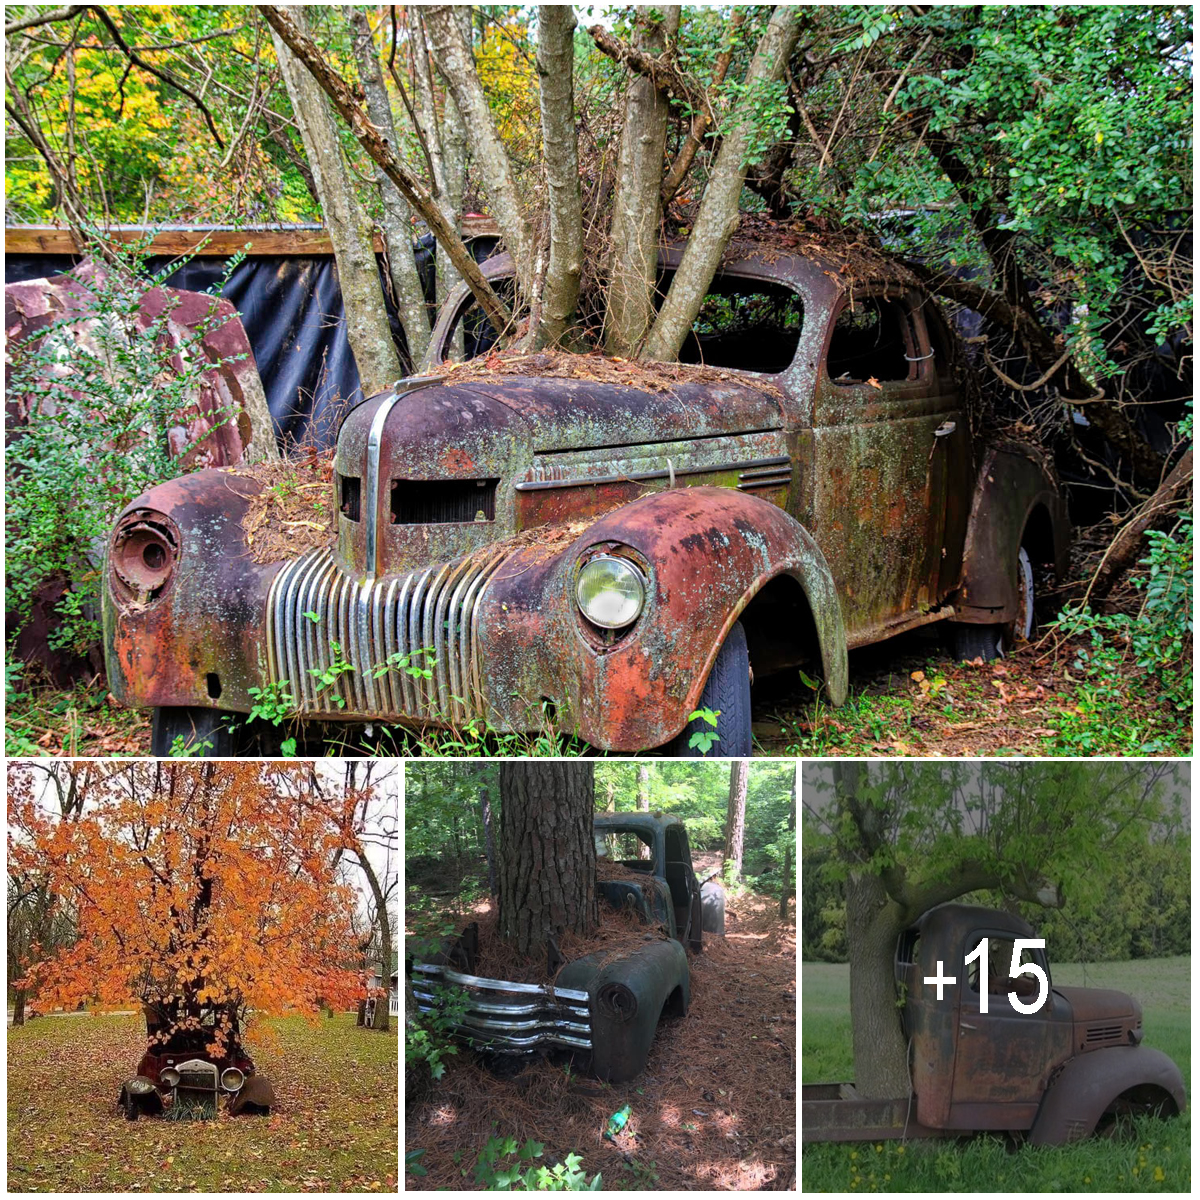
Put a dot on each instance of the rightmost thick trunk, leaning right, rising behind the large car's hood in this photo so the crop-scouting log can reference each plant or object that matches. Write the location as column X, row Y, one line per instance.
column 718, row 217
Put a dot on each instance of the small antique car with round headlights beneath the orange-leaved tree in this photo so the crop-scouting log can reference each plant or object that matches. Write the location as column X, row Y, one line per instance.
column 179, row 1076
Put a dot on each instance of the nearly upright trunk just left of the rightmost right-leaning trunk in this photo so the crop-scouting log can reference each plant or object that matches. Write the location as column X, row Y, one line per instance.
column 637, row 207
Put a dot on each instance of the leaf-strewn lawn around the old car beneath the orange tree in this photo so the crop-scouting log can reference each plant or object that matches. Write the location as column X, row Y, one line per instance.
column 335, row 1129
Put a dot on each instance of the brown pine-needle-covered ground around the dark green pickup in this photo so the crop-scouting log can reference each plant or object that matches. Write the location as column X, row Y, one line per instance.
column 716, row 1108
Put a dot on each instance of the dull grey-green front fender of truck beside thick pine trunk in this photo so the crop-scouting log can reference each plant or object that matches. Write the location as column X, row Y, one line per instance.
column 627, row 998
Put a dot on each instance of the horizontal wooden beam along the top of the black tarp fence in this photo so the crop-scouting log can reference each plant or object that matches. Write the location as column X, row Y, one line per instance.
column 221, row 243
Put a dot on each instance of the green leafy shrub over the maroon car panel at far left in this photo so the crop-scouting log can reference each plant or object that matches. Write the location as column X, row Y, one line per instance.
column 100, row 407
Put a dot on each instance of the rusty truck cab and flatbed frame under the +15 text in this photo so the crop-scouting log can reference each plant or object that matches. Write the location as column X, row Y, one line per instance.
column 1073, row 1067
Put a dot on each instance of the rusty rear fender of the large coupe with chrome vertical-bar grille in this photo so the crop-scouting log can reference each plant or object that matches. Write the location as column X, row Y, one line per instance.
column 1017, row 500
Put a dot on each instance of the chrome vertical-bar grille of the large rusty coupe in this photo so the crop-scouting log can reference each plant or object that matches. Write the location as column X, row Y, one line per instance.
column 425, row 620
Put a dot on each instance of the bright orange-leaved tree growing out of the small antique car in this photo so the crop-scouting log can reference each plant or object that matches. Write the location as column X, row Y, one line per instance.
column 202, row 891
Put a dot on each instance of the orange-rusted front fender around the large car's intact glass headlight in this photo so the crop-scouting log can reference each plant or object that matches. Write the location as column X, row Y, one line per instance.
column 709, row 551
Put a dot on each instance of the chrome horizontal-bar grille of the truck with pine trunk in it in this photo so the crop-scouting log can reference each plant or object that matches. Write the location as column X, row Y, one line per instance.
column 511, row 1018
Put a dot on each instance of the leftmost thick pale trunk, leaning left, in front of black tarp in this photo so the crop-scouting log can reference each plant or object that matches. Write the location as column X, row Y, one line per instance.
column 351, row 233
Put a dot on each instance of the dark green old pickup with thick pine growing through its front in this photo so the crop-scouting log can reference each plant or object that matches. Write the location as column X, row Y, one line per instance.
column 604, row 1007
